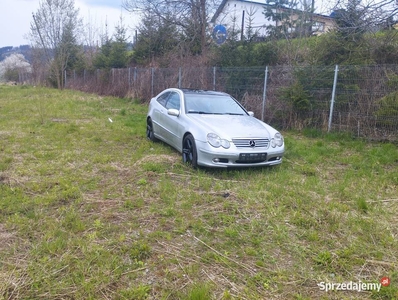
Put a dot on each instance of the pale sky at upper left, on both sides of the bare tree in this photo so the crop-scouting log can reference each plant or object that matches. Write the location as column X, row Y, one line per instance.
column 16, row 15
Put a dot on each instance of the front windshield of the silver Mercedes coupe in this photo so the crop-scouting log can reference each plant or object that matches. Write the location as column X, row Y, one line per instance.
column 212, row 104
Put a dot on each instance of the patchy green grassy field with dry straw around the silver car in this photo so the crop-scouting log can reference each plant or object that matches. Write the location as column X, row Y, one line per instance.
column 90, row 209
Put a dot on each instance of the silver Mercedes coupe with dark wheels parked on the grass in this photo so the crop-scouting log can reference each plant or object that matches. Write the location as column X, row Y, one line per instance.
column 212, row 129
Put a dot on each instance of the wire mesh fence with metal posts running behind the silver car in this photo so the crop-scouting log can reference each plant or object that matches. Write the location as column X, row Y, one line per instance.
column 362, row 100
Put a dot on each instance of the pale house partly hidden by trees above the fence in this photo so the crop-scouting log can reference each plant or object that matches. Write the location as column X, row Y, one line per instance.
column 236, row 15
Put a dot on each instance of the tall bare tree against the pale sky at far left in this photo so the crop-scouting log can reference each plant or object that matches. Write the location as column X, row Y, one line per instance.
column 55, row 28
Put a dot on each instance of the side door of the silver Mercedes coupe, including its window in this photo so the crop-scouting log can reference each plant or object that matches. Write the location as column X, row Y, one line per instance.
column 171, row 123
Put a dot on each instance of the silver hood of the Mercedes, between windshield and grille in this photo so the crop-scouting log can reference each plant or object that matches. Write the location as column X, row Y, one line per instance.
column 227, row 126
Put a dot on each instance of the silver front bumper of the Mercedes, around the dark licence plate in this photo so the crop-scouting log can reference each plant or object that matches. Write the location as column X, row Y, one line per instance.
column 235, row 157
